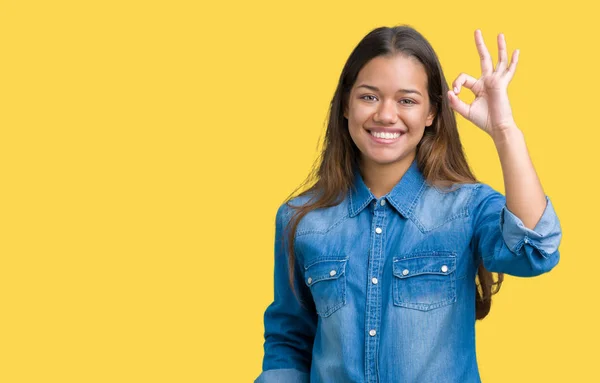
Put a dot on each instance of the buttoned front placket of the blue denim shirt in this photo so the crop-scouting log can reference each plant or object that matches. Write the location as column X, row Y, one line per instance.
column 373, row 304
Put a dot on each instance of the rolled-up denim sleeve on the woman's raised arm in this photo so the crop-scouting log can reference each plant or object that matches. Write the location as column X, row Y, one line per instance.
column 503, row 242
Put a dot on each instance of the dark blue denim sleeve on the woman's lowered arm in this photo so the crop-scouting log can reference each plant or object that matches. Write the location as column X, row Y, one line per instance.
column 289, row 326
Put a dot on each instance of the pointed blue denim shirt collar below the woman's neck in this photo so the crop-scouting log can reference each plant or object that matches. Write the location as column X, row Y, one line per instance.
column 402, row 196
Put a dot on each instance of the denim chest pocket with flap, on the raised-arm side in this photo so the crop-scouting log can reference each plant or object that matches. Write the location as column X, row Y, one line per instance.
column 424, row 281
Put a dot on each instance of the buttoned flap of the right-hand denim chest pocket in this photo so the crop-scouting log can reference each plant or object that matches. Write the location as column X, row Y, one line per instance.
column 442, row 264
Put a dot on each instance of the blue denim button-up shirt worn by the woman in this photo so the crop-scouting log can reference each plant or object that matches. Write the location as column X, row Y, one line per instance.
column 389, row 283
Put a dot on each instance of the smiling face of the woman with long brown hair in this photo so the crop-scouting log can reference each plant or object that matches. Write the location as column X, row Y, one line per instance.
column 388, row 110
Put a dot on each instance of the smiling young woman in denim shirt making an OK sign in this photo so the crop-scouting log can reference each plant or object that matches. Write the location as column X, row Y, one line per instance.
column 383, row 265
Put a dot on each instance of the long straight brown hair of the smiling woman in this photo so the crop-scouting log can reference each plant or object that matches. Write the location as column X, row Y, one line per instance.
column 440, row 155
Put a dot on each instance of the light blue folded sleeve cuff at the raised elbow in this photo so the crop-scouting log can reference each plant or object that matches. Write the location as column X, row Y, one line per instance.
column 545, row 236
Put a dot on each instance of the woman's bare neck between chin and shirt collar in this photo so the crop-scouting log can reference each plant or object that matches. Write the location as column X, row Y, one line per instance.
column 381, row 178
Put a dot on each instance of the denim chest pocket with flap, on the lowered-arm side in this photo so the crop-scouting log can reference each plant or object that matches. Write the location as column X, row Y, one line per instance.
column 327, row 282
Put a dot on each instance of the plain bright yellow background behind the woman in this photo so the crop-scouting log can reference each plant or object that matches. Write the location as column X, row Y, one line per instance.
column 146, row 145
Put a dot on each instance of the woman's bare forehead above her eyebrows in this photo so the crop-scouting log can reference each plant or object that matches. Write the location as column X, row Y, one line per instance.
column 390, row 73
